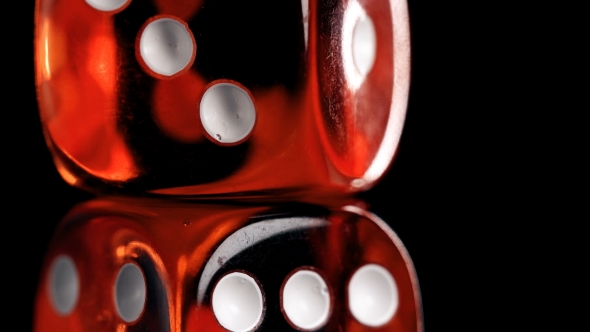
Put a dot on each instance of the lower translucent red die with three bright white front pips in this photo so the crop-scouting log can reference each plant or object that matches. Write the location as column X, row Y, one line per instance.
column 136, row 265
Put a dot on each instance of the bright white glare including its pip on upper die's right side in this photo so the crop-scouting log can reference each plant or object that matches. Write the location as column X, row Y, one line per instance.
column 359, row 44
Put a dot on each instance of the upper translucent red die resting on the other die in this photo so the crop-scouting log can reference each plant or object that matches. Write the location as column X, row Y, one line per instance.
column 220, row 96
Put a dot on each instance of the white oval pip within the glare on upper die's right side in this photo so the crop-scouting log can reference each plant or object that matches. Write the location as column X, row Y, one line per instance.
column 364, row 45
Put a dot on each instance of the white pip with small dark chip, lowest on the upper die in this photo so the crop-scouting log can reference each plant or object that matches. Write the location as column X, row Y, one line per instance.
column 227, row 113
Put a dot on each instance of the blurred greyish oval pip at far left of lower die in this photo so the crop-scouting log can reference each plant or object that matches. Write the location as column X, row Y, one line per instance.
column 64, row 286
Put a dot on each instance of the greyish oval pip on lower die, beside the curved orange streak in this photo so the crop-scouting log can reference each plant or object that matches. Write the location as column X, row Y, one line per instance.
column 130, row 292
